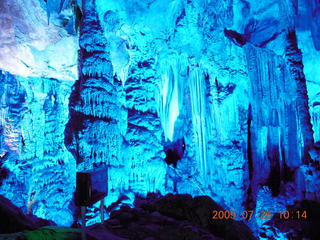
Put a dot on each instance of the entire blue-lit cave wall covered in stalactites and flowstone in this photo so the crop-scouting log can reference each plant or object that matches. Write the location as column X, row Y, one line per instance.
column 236, row 79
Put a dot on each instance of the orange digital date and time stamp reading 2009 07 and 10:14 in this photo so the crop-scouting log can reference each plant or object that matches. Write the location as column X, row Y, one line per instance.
column 247, row 215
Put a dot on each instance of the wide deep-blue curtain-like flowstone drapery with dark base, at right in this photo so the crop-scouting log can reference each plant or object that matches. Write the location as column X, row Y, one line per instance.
column 274, row 129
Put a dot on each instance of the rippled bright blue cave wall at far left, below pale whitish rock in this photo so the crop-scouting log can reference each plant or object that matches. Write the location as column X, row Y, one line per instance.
column 34, row 112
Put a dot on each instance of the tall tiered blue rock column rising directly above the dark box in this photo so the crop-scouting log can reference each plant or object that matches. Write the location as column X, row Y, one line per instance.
column 99, row 99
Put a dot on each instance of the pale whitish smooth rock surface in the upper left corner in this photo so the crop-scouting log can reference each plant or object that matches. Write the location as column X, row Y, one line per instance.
column 30, row 45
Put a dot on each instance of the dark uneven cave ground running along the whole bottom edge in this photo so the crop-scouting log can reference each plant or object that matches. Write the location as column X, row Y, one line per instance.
column 173, row 216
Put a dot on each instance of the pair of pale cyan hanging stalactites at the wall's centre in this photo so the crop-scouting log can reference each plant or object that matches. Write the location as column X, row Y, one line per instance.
column 179, row 78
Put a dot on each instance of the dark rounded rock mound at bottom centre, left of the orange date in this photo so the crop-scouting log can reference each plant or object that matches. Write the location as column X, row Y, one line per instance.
column 175, row 217
